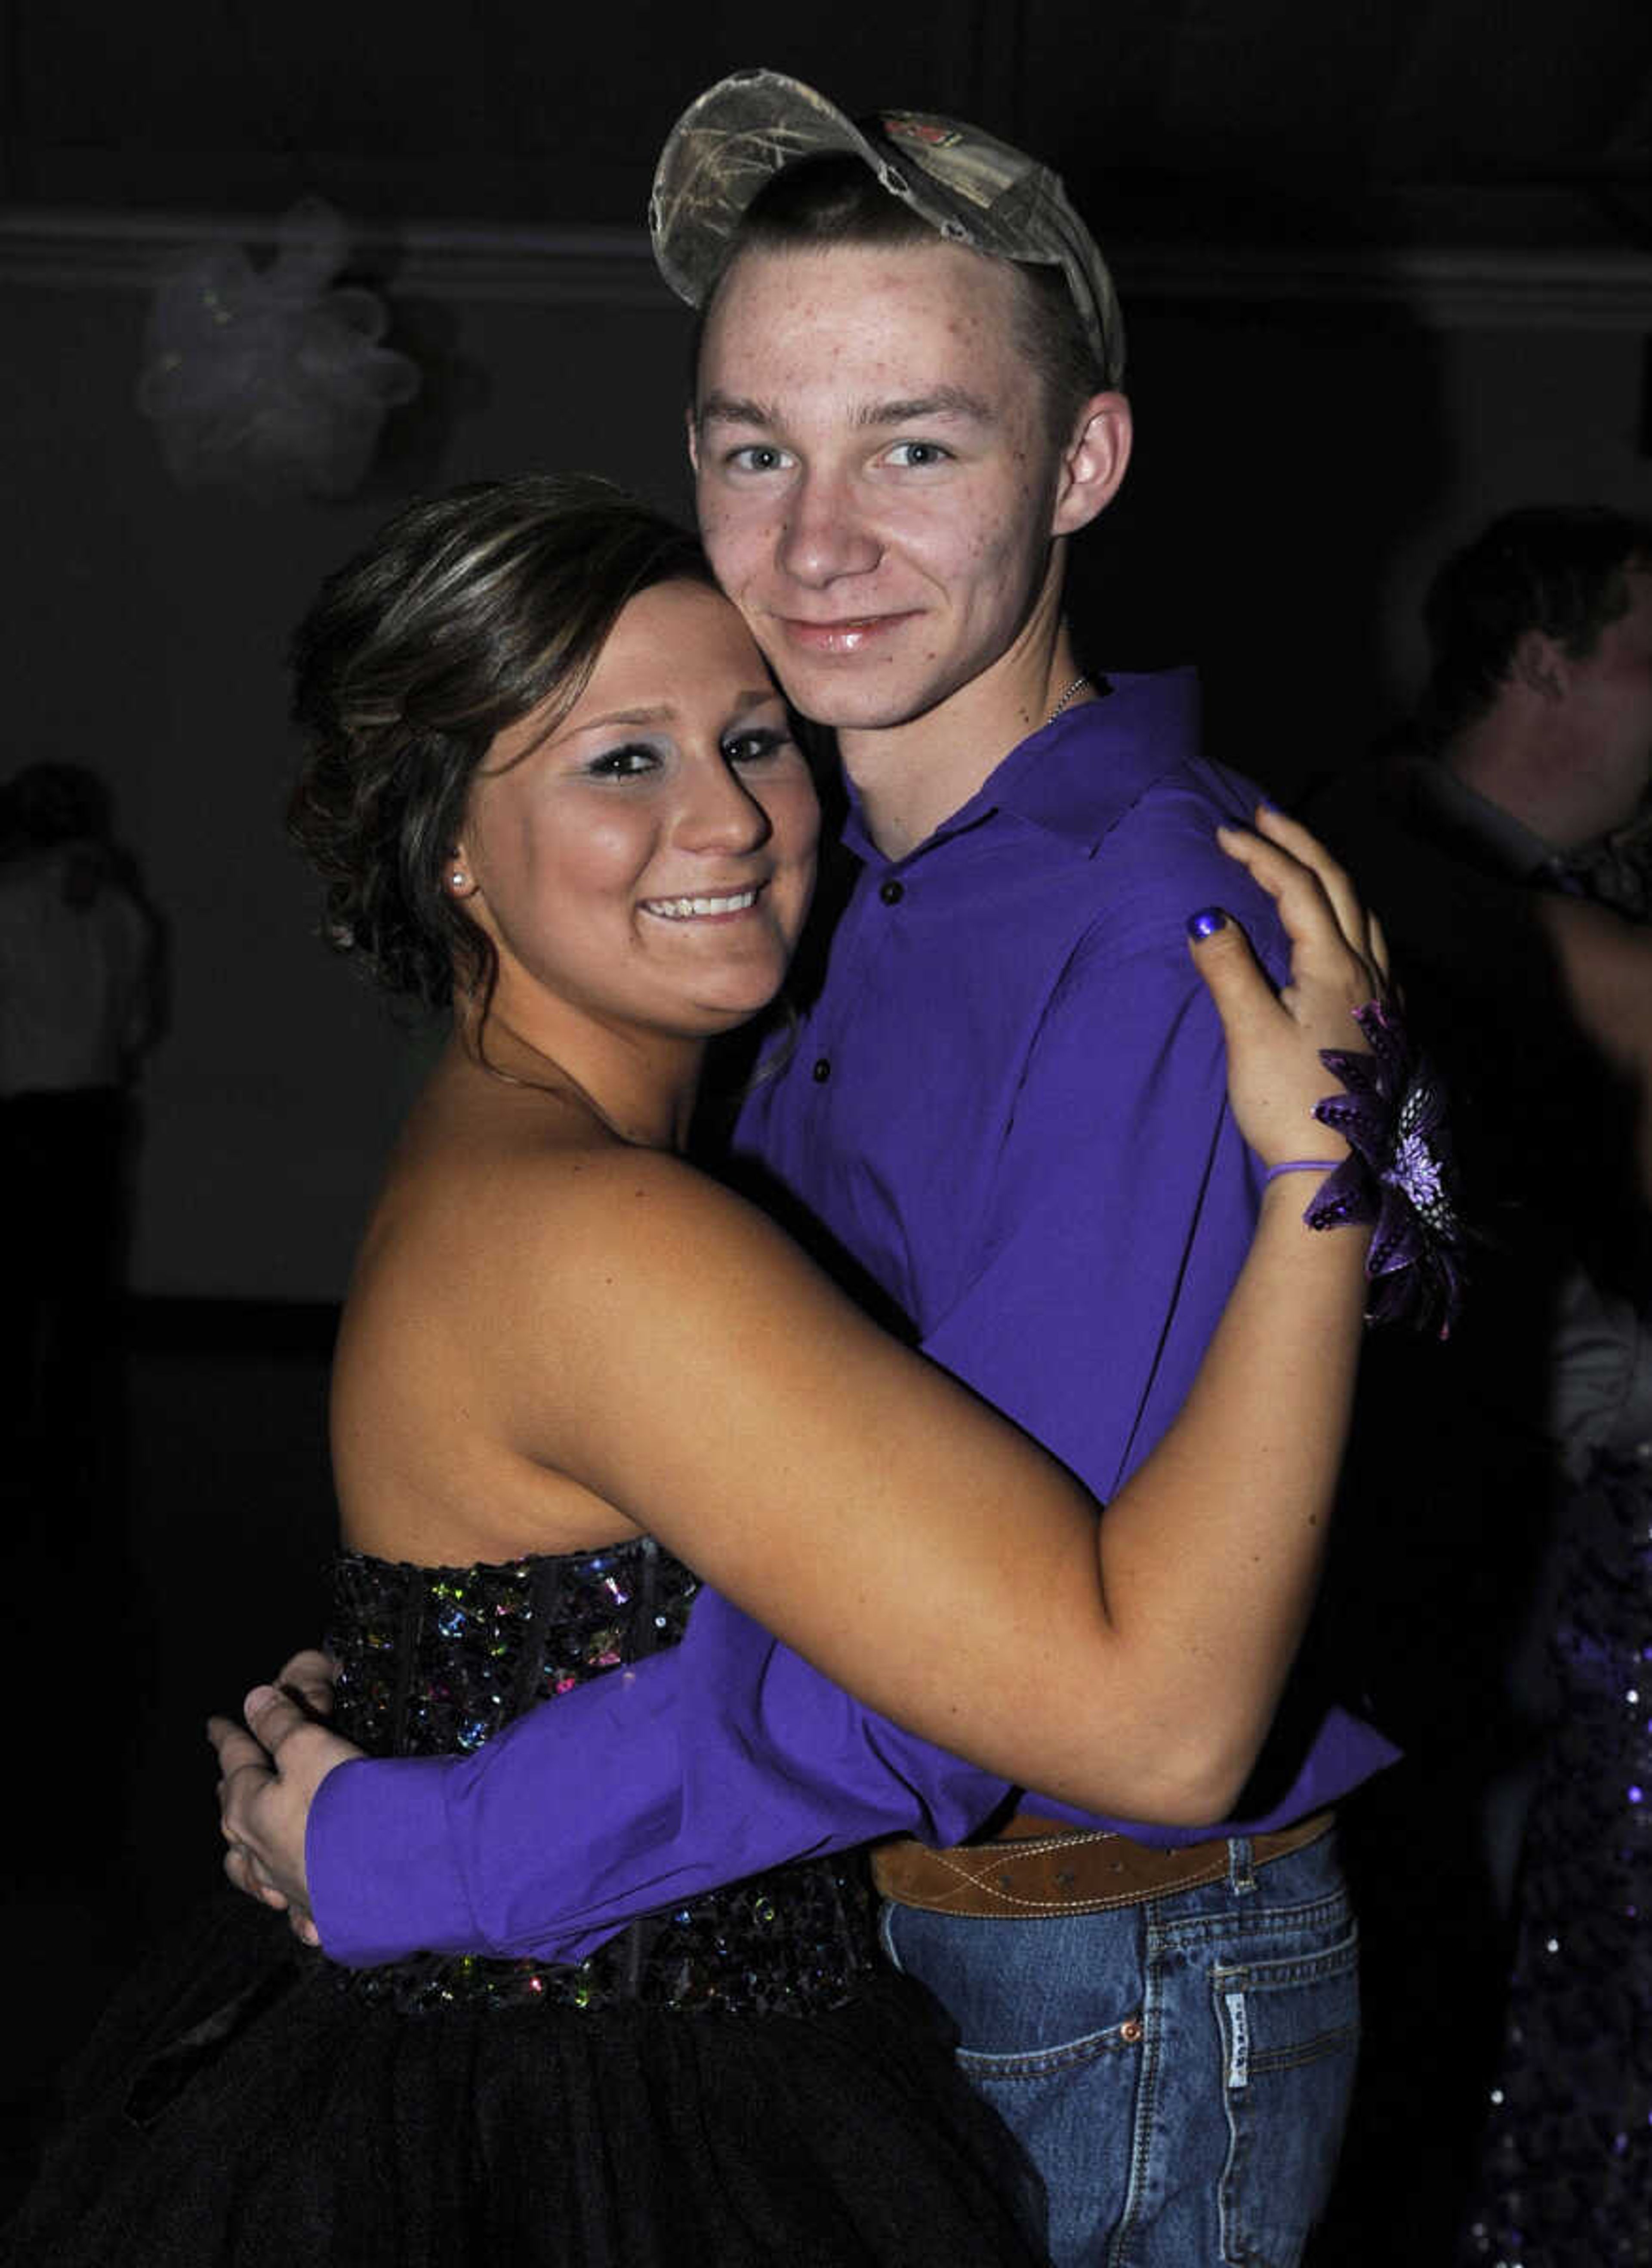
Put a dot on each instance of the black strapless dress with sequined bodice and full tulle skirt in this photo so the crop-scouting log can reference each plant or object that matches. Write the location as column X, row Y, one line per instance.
column 730, row 2083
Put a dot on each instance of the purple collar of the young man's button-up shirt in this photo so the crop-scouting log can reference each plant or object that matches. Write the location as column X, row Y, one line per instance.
column 1081, row 775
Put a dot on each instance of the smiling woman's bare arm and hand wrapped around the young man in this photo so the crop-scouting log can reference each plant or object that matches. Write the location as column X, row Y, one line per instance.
column 691, row 1369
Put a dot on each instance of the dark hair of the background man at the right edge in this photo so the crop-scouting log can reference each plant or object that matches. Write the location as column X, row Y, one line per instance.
column 1553, row 568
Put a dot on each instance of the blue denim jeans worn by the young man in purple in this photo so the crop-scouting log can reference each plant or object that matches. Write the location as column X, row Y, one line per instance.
column 1179, row 2072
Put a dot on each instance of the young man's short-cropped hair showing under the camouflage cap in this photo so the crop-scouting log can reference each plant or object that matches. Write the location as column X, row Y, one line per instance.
column 834, row 201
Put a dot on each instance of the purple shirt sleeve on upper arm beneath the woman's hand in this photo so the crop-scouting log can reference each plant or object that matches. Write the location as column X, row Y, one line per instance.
column 1124, row 1196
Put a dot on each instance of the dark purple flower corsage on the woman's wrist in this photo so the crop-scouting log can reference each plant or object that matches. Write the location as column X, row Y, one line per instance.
column 1397, row 1174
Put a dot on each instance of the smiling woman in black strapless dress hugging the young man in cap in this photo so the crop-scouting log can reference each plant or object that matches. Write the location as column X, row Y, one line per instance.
column 553, row 784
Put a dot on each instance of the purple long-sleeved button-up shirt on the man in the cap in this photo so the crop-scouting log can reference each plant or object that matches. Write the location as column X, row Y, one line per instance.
column 1009, row 1106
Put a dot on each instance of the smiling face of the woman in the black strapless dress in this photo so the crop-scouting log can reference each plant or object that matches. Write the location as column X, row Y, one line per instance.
column 648, row 858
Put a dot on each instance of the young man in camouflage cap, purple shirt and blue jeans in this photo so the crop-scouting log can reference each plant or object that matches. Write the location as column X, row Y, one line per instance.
column 1006, row 1108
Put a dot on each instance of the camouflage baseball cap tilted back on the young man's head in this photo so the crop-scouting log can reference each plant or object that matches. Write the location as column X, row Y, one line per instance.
column 970, row 187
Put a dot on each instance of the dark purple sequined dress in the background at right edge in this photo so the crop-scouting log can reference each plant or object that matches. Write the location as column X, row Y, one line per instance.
column 1567, row 2174
